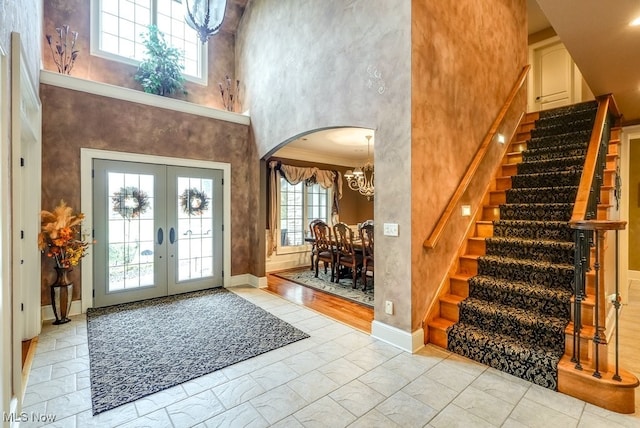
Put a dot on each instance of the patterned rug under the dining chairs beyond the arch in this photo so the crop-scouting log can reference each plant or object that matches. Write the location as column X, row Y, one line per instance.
column 323, row 283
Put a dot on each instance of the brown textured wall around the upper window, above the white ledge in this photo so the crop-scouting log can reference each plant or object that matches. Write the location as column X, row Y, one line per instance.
column 76, row 13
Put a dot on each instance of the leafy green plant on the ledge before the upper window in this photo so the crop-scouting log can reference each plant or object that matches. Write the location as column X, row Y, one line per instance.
column 160, row 72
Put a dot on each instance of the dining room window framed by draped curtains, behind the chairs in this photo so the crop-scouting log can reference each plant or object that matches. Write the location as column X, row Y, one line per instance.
column 299, row 204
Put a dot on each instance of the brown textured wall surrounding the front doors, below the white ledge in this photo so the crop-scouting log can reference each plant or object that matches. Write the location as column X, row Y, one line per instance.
column 73, row 120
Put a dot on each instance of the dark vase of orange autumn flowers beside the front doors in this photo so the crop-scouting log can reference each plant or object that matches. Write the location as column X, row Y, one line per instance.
column 60, row 239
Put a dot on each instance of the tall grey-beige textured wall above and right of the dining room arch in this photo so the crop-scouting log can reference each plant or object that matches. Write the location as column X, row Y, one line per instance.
column 316, row 64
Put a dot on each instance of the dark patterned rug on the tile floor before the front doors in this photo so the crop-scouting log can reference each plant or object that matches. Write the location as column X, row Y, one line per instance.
column 140, row 348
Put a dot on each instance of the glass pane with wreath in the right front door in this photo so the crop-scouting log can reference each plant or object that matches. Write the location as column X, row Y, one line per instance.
column 195, row 228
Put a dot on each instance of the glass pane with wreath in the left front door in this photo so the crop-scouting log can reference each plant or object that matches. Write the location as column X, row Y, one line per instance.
column 131, row 231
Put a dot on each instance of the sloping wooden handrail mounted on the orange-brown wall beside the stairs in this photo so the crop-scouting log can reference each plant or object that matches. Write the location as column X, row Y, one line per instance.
column 438, row 230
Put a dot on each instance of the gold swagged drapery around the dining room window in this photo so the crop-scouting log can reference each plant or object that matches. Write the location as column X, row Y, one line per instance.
column 294, row 175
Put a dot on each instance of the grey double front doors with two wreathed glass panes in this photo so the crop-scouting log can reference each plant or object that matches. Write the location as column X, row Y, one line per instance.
column 158, row 230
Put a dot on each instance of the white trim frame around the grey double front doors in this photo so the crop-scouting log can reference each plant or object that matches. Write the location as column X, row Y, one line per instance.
column 86, row 203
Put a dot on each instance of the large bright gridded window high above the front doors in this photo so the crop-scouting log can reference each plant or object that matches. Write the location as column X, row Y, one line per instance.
column 117, row 26
